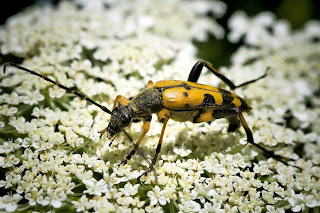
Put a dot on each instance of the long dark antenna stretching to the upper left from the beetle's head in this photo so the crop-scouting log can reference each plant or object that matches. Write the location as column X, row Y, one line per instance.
column 59, row 85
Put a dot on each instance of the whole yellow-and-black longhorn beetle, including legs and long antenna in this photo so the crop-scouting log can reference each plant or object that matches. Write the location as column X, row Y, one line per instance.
column 178, row 100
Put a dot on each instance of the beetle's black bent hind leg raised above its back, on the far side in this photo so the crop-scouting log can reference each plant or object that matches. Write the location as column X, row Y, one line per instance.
column 197, row 68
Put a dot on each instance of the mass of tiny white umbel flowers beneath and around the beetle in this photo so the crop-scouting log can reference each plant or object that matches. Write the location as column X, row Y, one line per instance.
column 53, row 158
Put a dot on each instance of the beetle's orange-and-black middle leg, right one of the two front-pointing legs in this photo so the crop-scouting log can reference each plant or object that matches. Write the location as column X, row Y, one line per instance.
column 163, row 116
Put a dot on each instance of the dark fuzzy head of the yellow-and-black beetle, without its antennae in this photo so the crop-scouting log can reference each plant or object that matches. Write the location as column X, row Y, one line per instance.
column 121, row 117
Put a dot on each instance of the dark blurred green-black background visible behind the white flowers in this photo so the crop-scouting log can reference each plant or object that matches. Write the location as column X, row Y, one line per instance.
column 218, row 51
